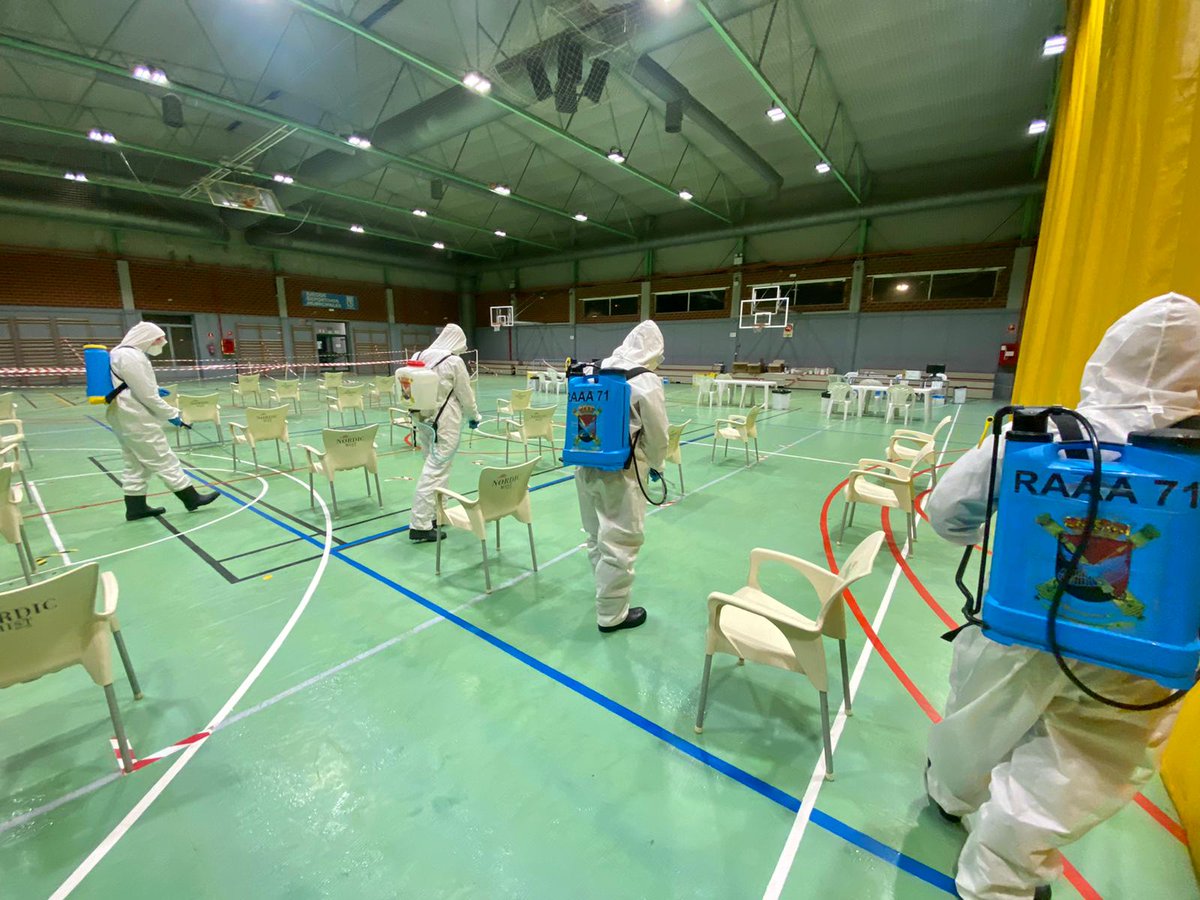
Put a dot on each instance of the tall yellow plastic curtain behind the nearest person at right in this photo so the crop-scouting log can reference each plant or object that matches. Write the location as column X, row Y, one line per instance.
column 1121, row 225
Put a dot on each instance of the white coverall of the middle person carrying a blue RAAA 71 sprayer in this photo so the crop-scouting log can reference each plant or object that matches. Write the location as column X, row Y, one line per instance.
column 611, row 503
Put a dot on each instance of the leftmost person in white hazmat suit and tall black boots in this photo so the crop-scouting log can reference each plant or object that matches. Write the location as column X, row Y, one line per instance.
column 136, row 416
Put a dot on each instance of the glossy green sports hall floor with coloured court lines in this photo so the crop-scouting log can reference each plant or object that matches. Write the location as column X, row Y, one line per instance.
column 415, row 737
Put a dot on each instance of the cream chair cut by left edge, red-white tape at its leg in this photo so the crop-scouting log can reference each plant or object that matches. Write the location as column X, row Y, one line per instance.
column 57, row 627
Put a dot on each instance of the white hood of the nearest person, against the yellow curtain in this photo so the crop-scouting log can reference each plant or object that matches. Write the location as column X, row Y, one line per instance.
column 1145, row 374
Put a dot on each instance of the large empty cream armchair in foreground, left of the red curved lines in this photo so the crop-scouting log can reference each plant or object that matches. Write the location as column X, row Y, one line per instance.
column 753, row 626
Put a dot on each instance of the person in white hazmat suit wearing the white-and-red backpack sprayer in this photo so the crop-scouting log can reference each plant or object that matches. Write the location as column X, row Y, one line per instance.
column 441, row 436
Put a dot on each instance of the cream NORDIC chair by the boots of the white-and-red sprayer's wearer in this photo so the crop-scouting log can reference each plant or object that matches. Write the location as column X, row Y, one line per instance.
column 502, row 493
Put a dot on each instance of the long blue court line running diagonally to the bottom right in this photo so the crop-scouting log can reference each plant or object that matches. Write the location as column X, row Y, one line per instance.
column 835, row 826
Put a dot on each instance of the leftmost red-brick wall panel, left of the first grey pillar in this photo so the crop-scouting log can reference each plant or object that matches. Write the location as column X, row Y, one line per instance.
column 33, row 279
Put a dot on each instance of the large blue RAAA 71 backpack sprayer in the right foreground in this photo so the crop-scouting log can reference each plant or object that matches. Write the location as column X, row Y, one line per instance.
column 1090, row 542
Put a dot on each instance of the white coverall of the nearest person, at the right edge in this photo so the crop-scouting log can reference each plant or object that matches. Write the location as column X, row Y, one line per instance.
column 1024, row 757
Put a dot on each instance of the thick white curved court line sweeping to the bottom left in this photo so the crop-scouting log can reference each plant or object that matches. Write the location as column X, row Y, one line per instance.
column 161, row 785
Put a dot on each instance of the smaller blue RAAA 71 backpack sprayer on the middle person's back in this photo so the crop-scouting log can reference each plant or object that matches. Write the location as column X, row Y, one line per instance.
column 598, row 422
